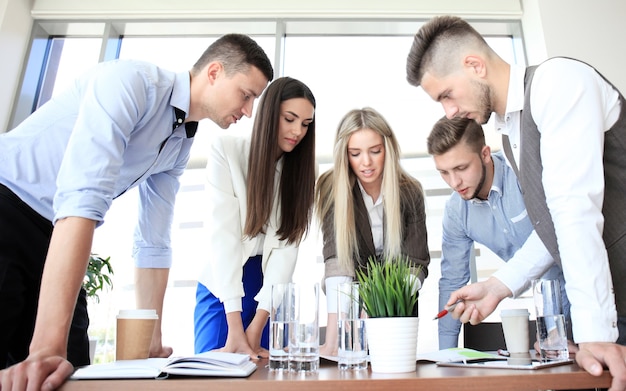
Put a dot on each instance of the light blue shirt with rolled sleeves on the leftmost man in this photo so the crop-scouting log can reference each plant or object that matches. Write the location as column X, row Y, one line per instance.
column 112, row 130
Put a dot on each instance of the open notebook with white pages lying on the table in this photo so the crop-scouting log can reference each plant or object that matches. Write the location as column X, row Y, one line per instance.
column 203, row 364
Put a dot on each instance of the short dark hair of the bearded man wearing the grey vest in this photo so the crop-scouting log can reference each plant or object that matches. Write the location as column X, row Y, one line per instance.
column 436, row 44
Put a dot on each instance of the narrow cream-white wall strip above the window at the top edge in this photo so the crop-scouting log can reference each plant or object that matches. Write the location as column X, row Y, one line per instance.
column 272, row 8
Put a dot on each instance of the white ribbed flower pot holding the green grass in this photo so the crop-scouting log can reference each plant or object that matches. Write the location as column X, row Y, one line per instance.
column 392, row 344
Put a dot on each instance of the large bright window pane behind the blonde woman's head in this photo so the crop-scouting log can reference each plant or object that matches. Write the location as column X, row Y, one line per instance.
column 349, row 72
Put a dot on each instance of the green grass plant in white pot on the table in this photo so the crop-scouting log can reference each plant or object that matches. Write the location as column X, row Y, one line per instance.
column 390, row 300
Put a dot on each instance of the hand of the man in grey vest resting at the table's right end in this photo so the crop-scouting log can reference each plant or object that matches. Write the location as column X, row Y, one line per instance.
column 592, row 356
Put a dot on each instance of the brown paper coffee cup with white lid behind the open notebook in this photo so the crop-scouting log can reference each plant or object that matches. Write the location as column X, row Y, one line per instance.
column 134, row 333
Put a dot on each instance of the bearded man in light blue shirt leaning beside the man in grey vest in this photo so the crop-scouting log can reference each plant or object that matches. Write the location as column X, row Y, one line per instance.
column 486, row 207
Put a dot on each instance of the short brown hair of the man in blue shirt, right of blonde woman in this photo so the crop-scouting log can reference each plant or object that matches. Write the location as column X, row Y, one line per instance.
column 448, row 133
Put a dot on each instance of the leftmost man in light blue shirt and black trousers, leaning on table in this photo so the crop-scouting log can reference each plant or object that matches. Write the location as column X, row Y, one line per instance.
column 123, row 124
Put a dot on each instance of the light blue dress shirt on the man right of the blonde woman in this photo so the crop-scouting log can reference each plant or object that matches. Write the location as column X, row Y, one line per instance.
column 500, row 223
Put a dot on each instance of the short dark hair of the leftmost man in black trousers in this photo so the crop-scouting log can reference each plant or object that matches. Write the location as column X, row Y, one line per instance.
column 236, row 52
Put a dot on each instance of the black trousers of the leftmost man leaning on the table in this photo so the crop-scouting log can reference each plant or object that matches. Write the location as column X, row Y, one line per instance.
column 24, row 240
